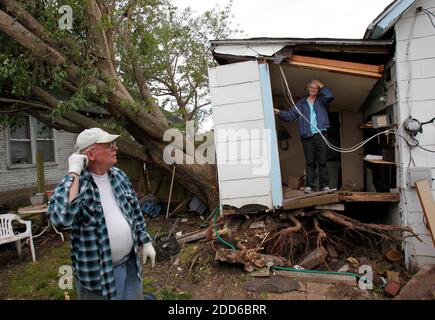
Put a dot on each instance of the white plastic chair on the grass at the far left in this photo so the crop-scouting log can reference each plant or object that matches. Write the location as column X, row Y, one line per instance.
column 7, row 233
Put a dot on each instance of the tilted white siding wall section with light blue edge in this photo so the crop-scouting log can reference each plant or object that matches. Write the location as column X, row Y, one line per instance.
column 245, row 135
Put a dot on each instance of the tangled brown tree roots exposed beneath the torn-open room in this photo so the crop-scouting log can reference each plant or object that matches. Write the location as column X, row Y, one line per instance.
column 304, row 232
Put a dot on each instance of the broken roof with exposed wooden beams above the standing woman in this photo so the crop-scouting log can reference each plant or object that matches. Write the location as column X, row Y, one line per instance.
column 315, row 58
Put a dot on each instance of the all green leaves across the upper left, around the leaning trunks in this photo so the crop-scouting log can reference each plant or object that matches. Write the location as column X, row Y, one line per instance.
column 169, row 45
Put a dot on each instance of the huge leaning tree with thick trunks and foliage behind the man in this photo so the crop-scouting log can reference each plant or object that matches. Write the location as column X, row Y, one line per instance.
column 130, row 59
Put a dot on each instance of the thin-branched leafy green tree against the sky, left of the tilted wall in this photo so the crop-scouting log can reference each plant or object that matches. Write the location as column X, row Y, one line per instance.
column 172, row 50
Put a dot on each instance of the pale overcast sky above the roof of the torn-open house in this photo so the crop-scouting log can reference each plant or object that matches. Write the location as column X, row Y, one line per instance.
column 296, row 18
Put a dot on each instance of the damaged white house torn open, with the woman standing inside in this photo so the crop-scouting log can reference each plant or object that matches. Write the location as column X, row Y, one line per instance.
column 383, row 95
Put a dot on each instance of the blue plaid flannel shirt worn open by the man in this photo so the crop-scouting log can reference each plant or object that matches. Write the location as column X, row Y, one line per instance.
column 90, row 247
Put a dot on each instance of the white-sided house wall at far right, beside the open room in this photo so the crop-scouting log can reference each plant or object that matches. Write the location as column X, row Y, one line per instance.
column 415, row 71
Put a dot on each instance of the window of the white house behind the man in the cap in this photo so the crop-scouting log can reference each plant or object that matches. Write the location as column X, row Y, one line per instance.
column 29, row 137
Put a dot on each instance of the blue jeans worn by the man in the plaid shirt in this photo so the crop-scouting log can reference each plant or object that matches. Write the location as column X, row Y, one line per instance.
column 128, row 286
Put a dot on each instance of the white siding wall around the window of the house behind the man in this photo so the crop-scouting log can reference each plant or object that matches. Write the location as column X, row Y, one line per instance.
column 24, row 178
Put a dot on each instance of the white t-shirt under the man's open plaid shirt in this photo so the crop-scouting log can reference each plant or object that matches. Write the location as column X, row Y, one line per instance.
column 120, row 237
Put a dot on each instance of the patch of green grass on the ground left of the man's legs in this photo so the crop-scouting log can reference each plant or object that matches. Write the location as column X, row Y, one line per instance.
column 39, row 280
